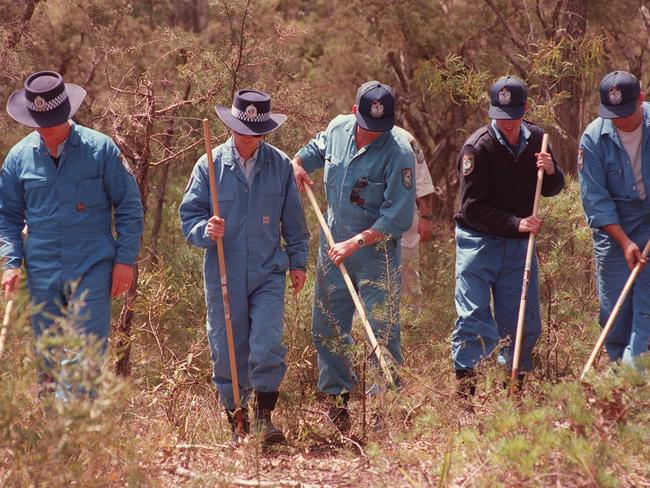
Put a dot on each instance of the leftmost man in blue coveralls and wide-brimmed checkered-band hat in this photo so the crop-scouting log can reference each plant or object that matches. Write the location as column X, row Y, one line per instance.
column 66, row 182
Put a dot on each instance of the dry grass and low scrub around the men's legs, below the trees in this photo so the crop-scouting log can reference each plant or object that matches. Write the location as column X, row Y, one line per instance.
column 163, row 426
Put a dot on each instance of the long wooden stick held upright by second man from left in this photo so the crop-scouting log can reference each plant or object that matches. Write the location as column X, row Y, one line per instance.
column 238, row 414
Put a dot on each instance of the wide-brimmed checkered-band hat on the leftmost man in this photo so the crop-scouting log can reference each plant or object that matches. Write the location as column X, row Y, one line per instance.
column 46, row 101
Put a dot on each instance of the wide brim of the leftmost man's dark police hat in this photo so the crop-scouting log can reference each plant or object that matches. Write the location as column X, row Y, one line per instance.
column 17, row 108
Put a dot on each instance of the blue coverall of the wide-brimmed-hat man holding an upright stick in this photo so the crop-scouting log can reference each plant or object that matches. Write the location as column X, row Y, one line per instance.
column 255, row 262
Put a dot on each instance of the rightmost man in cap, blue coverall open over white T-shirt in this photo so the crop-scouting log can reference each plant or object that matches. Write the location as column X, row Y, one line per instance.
column 614, row 171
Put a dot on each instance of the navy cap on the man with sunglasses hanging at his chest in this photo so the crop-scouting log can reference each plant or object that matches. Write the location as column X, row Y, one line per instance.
column 375, row 106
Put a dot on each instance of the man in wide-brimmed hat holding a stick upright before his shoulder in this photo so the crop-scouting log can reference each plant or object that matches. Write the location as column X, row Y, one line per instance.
column 259, row 204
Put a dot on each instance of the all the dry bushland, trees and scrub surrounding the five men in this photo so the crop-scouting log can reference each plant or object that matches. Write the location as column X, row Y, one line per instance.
column 153, row 70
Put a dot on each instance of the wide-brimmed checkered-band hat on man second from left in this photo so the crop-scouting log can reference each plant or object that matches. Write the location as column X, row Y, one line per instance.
column 250, row 113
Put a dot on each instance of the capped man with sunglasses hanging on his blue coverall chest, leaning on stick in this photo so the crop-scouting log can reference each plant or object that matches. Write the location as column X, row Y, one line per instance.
column 369, row 171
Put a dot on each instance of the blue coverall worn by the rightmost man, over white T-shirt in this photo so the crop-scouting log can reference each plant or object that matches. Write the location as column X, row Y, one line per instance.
column 609, row 196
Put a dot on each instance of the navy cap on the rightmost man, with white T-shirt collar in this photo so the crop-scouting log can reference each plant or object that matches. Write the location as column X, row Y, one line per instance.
column 619, row 95
